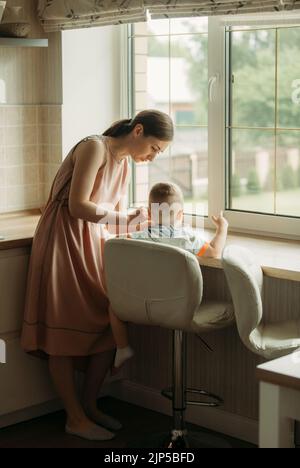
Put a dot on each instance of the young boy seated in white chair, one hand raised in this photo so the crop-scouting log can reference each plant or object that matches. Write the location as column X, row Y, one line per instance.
column 166, row 205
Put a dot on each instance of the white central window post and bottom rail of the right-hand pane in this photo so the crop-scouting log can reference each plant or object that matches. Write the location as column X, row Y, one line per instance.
column 252, row 223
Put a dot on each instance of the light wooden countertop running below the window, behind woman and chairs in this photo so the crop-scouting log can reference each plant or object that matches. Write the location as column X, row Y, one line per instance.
column 279, row 258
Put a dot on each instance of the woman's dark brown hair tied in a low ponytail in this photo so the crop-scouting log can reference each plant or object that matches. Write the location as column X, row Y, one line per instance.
column 155, row 123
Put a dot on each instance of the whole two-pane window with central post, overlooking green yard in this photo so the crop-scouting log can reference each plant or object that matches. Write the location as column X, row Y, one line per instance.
column 236, row 147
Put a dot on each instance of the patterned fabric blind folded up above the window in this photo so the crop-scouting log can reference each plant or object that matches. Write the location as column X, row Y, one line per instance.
column 57, row 15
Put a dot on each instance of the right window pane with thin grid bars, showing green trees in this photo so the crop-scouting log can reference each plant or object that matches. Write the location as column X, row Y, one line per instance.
column 264, row 121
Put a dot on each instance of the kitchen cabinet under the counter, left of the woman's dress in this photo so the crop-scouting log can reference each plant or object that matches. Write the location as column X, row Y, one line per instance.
column 25, row 387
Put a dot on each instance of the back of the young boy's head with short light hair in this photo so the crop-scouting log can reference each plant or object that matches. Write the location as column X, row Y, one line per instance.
column 165, row 202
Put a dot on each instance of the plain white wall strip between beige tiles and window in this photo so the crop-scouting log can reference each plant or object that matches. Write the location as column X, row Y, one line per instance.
column 91, row 82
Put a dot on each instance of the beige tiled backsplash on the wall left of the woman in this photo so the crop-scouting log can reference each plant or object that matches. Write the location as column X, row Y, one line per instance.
column 30, row 154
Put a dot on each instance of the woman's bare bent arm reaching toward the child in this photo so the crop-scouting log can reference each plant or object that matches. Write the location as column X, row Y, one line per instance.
column 90, row 156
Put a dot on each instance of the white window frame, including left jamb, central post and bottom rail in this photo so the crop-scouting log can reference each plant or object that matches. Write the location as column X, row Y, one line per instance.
column 248, row 223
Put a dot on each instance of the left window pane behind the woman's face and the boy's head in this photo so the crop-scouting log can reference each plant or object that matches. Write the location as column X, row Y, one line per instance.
column 170, row 74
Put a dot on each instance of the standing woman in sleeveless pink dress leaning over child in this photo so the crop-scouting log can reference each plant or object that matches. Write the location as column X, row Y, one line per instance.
column 66, row 310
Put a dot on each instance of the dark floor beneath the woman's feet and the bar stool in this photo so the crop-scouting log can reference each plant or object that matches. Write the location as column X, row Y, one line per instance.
column 139, row 425
